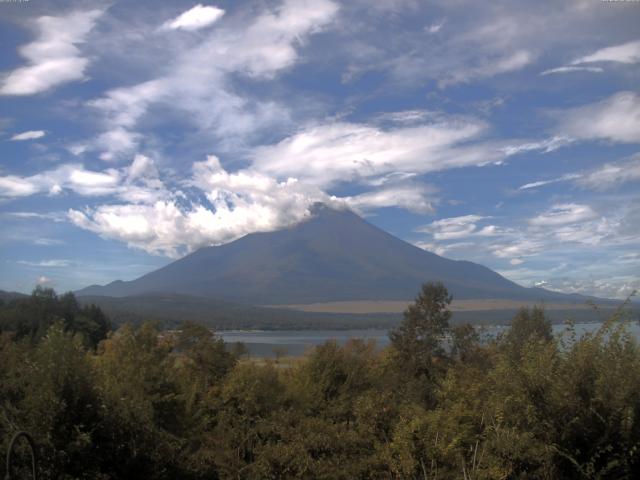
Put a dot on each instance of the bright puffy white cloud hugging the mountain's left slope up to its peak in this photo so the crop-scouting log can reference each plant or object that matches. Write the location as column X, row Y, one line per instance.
column 238, row 203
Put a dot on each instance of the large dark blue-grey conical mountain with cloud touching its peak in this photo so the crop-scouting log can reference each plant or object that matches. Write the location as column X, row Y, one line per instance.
column 333, row 256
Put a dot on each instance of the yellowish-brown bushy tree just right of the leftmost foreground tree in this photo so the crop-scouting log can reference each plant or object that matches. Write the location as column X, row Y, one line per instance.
column 142, row 404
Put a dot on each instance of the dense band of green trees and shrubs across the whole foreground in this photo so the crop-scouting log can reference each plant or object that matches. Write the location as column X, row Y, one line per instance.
column 436, row 404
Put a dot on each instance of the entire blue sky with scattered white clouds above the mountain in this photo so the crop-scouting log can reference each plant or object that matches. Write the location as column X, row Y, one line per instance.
column 506, row 133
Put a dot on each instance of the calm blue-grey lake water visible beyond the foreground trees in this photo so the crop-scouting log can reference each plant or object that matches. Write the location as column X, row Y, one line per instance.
column 264, row 343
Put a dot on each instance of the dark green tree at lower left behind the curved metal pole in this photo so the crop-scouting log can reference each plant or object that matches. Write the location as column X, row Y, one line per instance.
column 48, row 390
